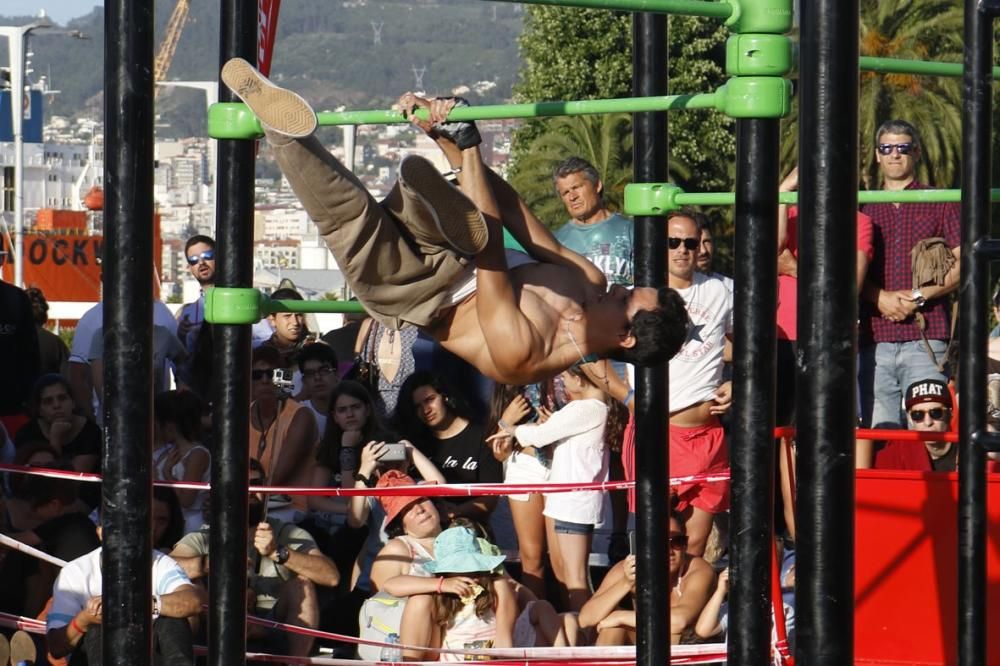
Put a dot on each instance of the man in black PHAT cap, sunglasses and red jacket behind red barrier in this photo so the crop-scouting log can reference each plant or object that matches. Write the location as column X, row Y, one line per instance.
column 928, row 405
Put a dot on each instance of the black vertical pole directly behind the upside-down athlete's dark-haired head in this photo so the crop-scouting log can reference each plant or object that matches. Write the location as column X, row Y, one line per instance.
column 649, row 132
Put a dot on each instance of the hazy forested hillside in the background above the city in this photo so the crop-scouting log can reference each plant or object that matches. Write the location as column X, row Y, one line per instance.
column 327, row 51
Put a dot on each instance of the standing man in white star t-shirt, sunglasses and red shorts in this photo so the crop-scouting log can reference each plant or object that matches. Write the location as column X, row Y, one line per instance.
column 697, row 393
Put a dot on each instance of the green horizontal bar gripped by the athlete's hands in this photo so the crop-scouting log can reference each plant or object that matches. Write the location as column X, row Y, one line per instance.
column 531, row 110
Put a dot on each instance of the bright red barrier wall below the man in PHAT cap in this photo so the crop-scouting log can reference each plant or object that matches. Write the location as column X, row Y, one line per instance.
column 906, row 580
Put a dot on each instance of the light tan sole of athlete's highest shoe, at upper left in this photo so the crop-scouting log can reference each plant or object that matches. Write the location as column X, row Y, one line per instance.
column 277, row 108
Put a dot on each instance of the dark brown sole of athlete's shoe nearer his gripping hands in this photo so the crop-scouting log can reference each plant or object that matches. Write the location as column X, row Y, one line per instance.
column 465, row 230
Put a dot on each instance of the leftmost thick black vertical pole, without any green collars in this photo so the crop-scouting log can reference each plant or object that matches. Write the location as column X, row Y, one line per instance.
column 128, row 334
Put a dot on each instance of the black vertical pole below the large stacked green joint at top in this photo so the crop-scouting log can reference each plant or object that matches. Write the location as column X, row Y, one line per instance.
column 755, row 339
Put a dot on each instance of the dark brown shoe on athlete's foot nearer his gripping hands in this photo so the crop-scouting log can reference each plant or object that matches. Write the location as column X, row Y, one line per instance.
column 434, row 211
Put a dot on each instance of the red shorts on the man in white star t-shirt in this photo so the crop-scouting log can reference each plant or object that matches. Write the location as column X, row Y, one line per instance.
column 700, row 450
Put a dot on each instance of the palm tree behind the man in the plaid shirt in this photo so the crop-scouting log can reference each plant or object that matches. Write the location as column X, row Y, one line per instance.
column 911, row 29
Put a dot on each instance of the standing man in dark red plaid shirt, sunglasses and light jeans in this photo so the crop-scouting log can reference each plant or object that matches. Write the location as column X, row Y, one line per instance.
column 893, row 355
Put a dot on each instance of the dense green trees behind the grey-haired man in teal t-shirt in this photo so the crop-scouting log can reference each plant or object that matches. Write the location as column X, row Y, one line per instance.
column 587, row 54
